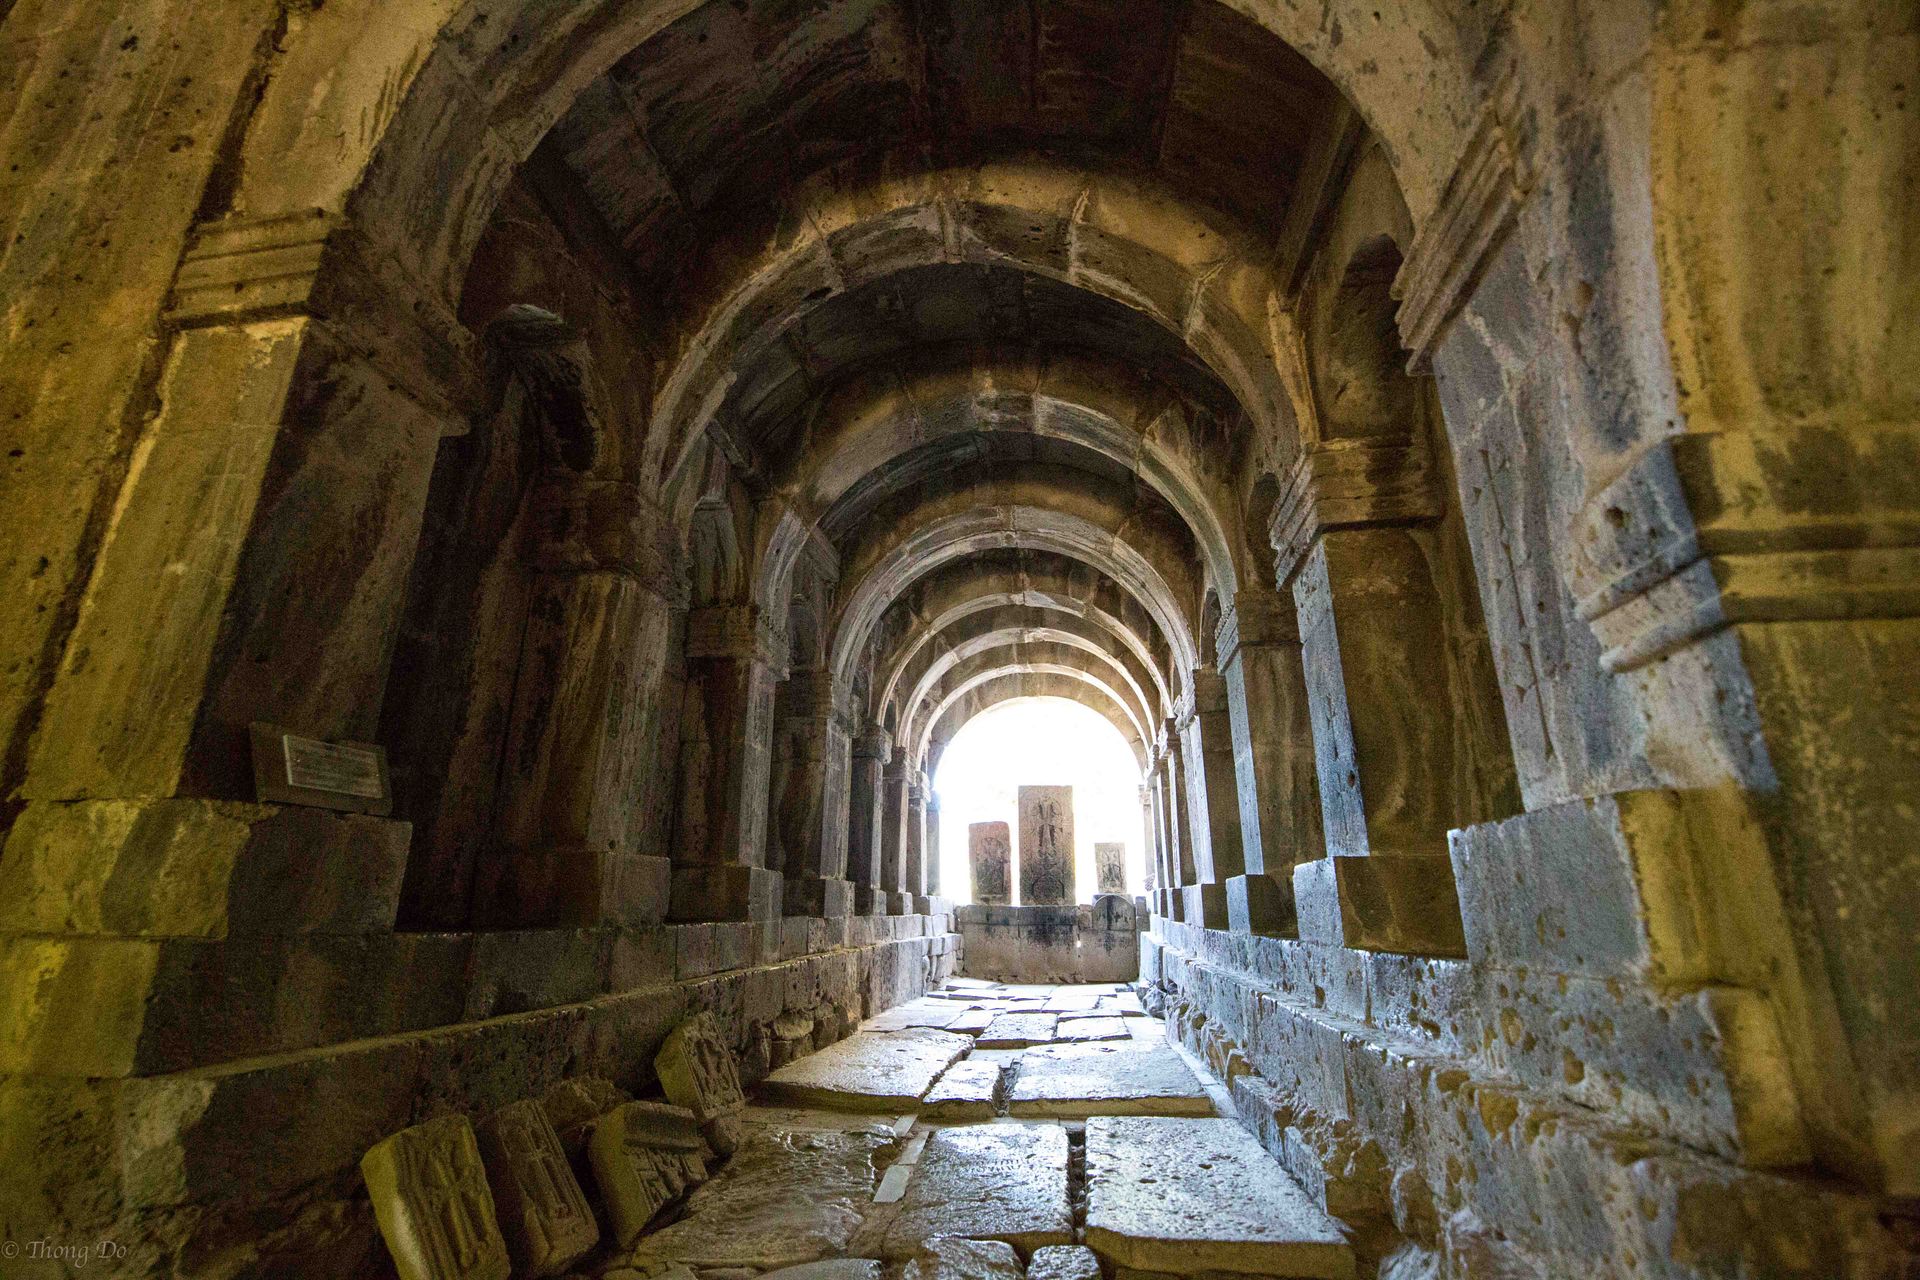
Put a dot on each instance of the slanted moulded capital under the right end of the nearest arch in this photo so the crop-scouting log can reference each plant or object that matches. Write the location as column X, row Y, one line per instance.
column 1477, row 210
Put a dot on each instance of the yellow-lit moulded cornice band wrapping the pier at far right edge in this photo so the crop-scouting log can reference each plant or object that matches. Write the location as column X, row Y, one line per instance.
column 1712, row 531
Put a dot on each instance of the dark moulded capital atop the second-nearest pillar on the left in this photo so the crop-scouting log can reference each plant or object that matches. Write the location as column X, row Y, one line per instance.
column 579, row 525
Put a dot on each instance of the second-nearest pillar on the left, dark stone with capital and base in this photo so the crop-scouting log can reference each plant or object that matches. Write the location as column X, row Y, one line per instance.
column 592, row 671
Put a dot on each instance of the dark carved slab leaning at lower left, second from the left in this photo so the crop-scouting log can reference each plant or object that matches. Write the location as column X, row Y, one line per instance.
column 542, row 1210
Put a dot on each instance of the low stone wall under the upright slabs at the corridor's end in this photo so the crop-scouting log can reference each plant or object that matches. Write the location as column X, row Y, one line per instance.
column 1095, row 943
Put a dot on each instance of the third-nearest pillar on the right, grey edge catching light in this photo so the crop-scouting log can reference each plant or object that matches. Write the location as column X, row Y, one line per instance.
column 1274, row 759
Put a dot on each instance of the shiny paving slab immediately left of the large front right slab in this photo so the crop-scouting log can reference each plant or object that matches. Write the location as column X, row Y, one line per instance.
column 986, row 1183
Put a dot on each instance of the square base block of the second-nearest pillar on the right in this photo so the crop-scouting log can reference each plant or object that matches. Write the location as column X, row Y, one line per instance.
column 1385, row 903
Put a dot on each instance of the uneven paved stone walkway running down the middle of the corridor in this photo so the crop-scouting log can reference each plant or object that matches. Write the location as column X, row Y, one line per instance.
column 996, row 1133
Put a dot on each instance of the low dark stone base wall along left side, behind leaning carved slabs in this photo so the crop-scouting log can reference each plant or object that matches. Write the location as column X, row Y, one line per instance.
column 237, row 1150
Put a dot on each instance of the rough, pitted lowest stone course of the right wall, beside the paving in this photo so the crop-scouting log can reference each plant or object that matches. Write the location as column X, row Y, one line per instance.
column 1330, row 1097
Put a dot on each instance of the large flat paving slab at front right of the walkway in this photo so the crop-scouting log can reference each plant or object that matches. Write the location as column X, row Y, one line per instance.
column 1191, row 1197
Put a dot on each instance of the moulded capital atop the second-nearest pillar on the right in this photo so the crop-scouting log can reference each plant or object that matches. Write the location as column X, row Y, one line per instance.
column 1351, row 485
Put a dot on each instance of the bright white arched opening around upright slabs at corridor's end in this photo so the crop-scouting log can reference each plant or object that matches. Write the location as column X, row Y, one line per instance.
column 1040, row 744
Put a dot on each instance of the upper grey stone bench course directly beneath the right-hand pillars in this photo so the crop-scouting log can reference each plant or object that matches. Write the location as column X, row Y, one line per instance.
column 1700, row 1068
